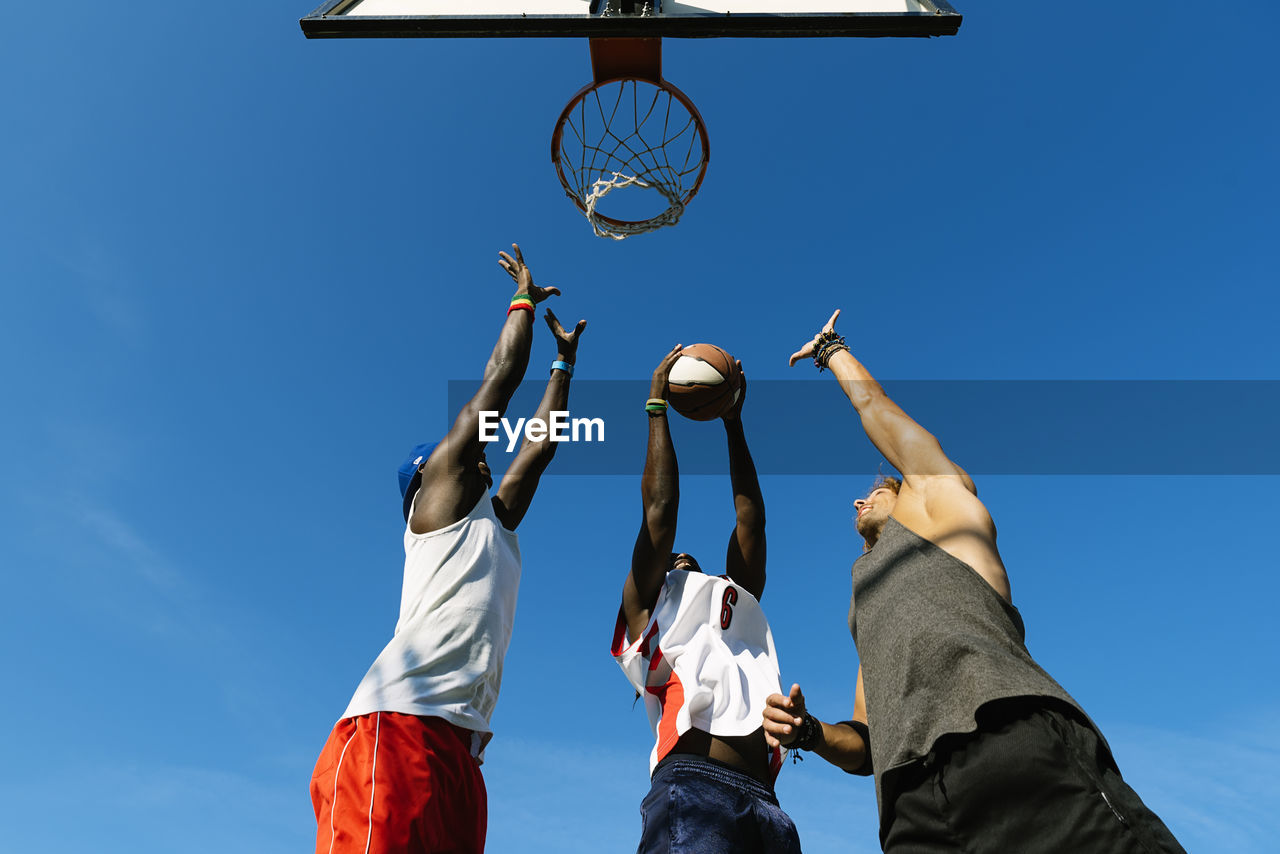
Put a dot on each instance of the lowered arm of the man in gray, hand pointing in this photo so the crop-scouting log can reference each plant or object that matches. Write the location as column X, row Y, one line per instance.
column 845, row 745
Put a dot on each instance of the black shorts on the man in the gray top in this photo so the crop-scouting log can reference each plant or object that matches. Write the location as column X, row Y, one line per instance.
column 1035, row 778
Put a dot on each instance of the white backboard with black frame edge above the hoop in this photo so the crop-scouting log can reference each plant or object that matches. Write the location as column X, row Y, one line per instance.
column 629, row 19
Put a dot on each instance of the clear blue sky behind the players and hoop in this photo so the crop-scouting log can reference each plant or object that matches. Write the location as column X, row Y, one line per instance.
column 240, row 271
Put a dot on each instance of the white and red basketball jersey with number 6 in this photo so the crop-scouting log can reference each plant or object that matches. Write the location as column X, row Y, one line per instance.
column 706, row 661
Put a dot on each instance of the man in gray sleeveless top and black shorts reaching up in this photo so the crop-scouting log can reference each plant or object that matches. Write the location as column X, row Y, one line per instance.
column 973, row 746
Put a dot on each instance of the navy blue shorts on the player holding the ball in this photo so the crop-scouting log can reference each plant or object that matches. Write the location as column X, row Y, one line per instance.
column 697, row 806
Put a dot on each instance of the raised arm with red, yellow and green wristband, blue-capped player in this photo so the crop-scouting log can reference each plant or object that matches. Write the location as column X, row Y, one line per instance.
column 455, row 478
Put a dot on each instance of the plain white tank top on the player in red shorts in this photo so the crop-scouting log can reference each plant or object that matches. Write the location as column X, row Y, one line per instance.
column 458, row 610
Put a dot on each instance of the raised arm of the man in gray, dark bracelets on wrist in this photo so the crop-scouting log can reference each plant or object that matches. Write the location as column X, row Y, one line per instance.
column 908, row 447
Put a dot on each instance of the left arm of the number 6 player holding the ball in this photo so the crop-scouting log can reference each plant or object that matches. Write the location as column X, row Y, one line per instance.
column 660, row 494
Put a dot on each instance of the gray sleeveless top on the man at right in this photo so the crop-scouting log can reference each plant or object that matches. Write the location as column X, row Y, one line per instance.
column 936, row 643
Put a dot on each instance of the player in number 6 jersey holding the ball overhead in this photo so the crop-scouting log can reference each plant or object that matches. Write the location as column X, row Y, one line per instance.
column 698, row 649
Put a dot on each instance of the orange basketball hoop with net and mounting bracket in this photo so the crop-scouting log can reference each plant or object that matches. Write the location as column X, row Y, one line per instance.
column 630, row 130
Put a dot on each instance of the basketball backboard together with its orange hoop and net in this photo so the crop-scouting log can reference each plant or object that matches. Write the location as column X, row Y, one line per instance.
column 630, row 129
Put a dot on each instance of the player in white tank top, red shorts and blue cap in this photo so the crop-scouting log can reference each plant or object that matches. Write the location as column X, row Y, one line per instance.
column 400, row 774
